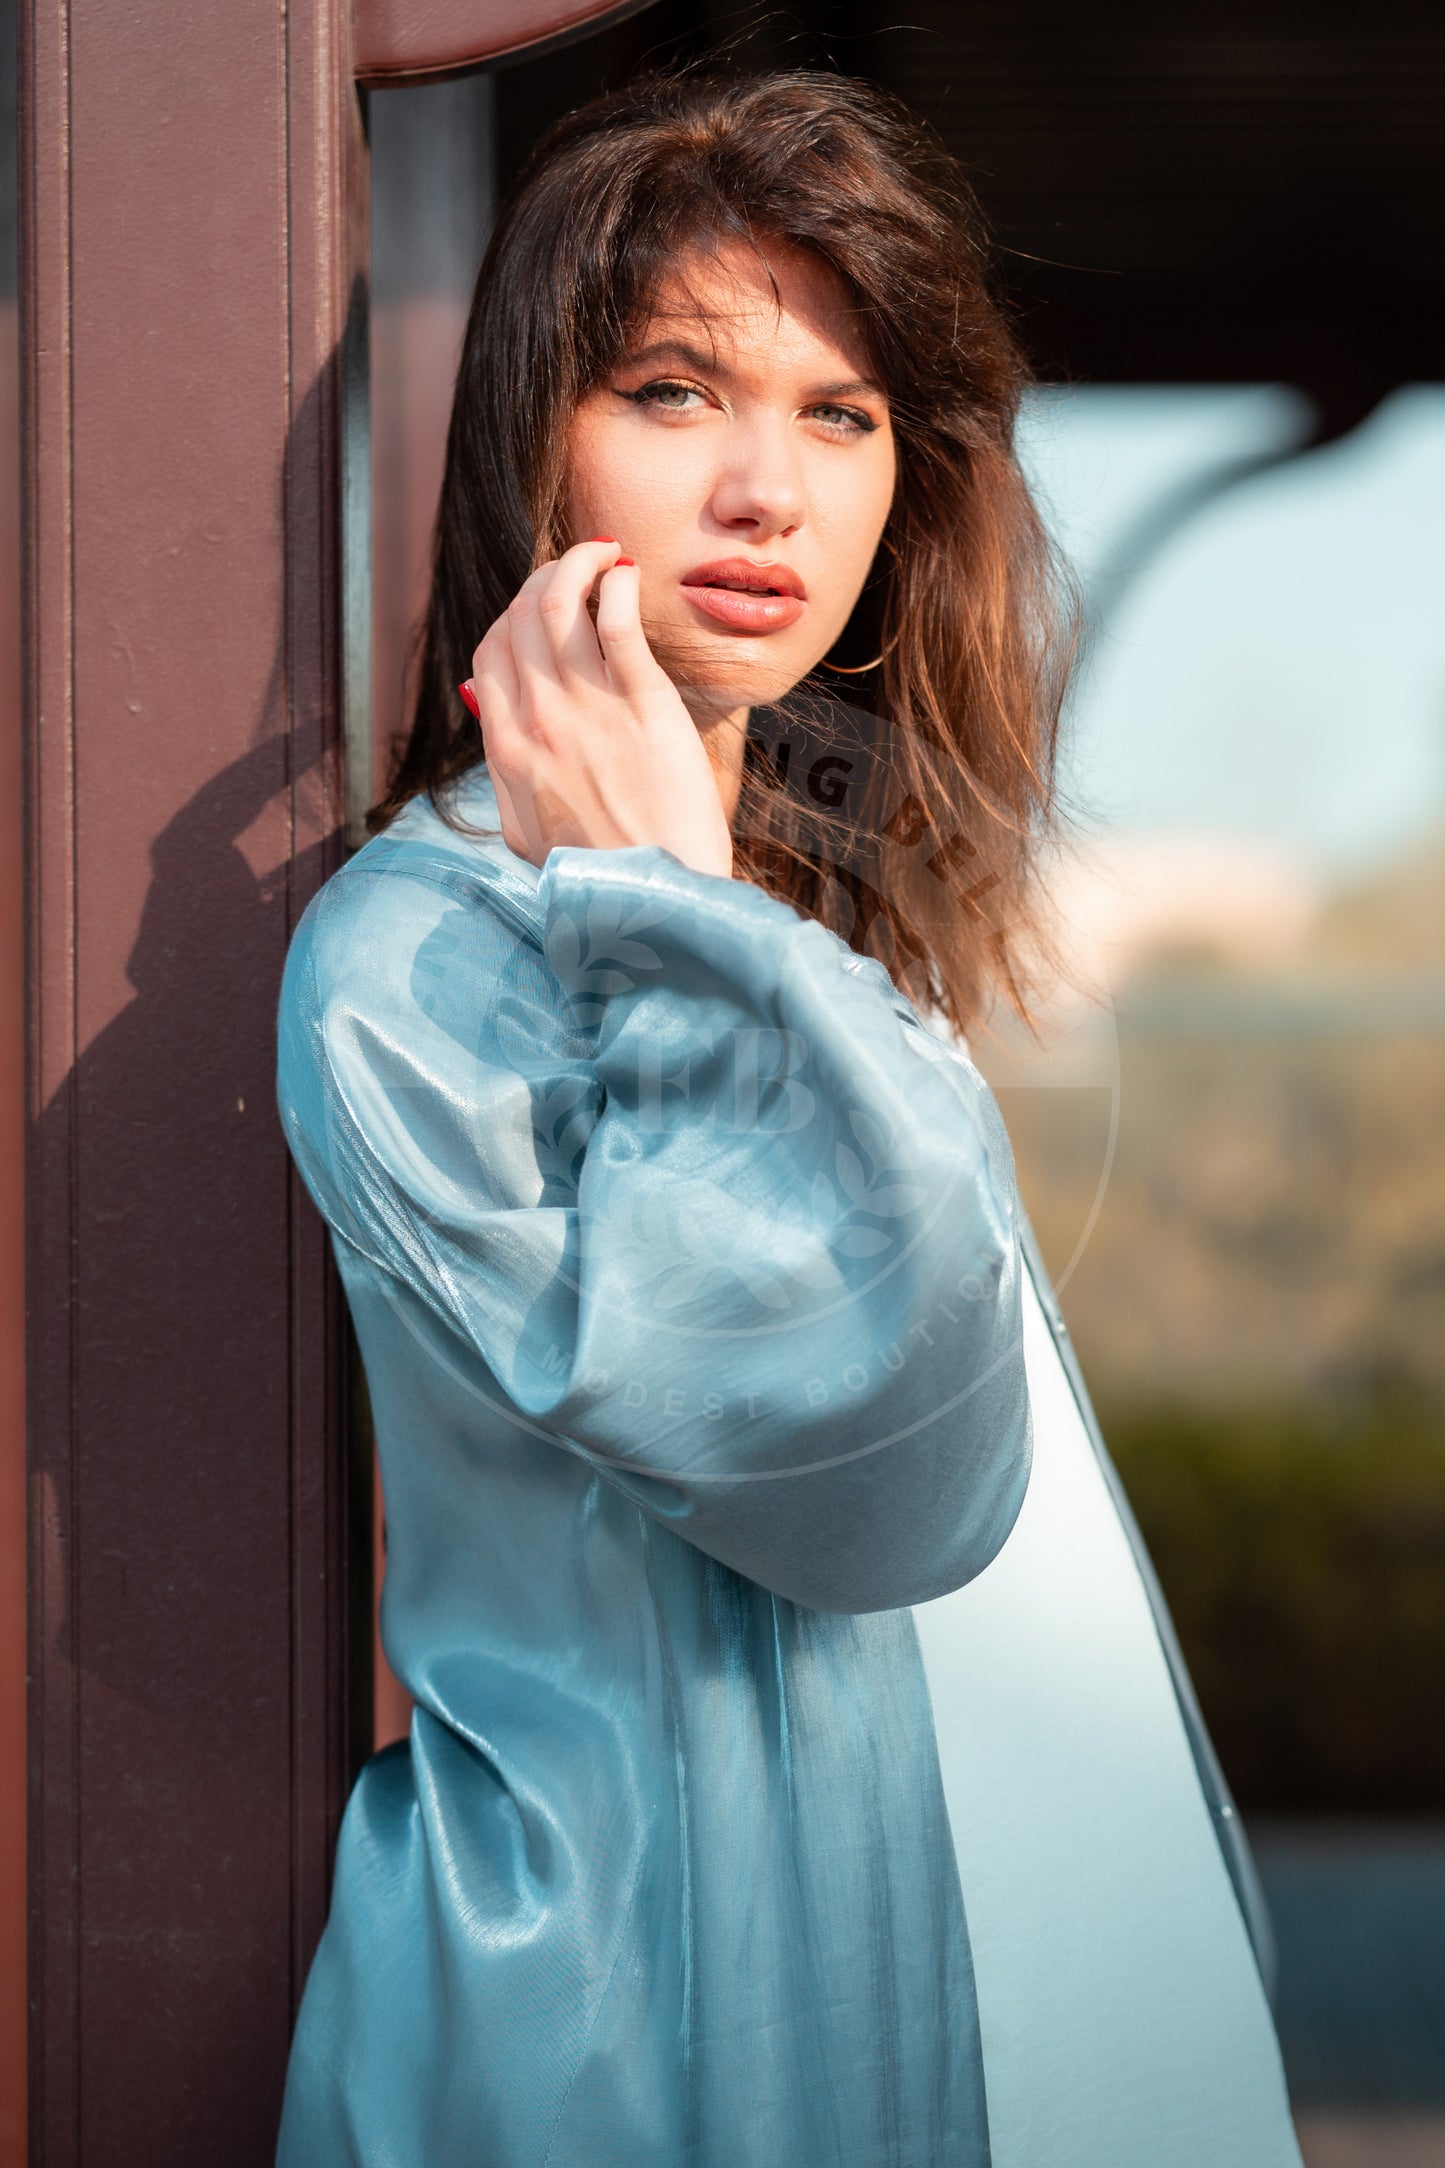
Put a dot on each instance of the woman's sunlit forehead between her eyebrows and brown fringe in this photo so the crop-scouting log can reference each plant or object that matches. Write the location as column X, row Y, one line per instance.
column 725, row 302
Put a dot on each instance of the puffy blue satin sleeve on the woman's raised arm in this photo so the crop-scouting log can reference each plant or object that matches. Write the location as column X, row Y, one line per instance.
column 697, row 1191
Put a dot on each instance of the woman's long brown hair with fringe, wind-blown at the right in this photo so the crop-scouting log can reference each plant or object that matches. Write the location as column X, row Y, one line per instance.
column 907, row 818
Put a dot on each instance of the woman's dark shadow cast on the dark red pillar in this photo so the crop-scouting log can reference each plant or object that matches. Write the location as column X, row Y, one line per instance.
column 172, row 1850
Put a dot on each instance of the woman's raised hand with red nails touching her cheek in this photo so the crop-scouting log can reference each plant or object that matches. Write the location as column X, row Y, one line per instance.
column 586, row 736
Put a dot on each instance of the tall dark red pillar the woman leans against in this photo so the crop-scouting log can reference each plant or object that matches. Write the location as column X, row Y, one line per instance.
column 198, row 658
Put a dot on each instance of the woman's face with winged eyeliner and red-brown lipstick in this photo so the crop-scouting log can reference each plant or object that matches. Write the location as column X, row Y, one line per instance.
column 746, row 461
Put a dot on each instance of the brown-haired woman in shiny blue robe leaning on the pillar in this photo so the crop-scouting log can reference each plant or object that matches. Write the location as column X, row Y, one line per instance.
column 699, row 1313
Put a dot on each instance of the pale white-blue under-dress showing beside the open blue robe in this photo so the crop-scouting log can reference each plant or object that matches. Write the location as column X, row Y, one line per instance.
column 1123, row 2017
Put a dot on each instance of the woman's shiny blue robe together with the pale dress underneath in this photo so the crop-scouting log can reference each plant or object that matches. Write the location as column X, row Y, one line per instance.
column 701, row 1337
